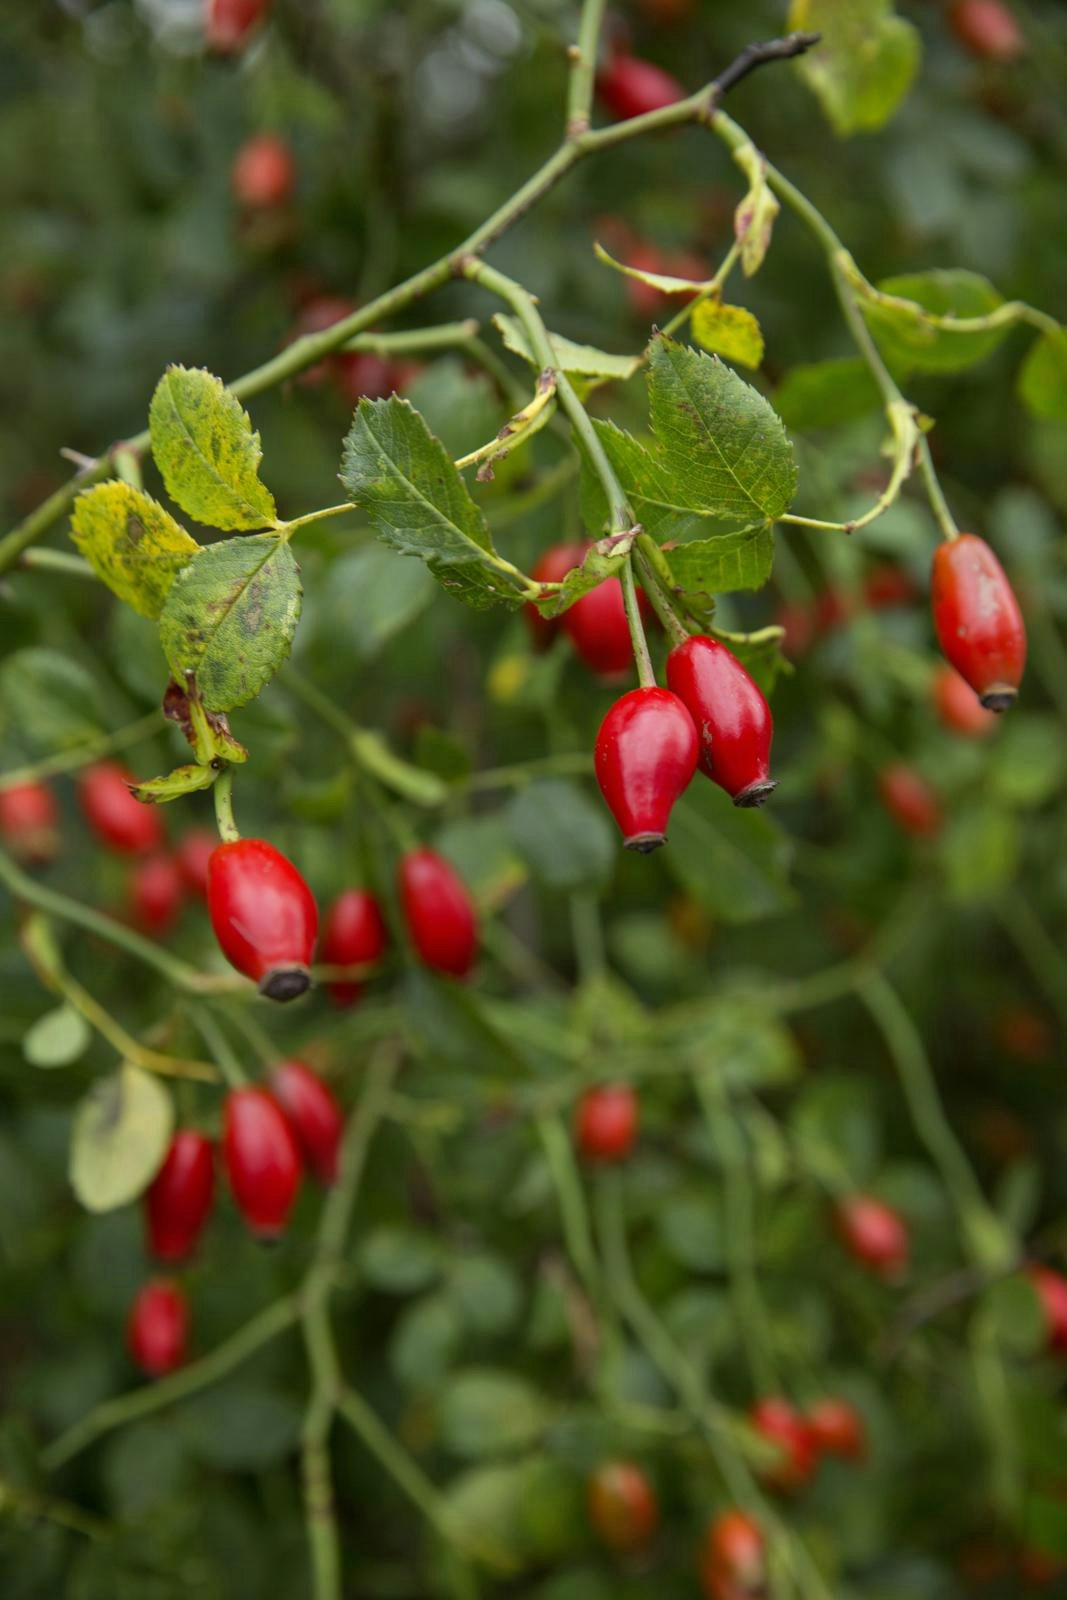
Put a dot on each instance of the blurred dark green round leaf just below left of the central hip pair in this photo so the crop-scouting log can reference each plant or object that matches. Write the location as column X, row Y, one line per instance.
column 562, row 834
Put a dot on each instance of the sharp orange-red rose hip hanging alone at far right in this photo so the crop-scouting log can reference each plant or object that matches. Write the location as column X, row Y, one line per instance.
column 978, row 620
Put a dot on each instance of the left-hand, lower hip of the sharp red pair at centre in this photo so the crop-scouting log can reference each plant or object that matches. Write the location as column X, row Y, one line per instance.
column 645, row 759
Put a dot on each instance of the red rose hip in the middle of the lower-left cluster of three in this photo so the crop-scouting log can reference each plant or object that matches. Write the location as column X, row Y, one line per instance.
column 263, row 1161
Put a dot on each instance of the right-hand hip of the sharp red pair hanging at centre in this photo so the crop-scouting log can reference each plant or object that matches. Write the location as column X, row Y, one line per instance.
column 730, row 714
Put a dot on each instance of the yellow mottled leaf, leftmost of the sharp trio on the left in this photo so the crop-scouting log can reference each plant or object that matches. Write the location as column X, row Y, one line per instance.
column 132, row 543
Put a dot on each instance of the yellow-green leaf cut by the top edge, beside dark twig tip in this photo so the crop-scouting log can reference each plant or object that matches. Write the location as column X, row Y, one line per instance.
column 865, row 65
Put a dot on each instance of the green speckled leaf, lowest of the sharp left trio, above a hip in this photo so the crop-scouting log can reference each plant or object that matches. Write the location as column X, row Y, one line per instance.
column 231, row 617
